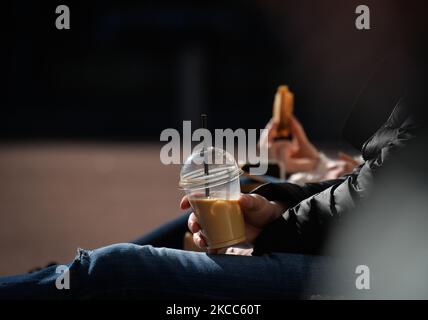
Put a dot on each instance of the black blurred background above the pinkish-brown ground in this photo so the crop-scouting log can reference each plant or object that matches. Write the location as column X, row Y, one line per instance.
column 129, row 69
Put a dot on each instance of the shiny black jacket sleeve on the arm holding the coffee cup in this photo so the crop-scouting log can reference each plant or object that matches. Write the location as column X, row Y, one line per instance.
column 315, row 208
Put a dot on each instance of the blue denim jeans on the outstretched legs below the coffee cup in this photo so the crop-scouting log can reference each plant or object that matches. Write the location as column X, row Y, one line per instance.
column 130, row 270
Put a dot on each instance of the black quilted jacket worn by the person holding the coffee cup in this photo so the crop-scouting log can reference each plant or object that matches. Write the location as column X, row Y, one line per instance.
column 317, row 207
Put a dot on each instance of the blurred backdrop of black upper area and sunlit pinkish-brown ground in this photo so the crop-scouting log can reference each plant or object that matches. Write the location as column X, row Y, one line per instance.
column 82, row 109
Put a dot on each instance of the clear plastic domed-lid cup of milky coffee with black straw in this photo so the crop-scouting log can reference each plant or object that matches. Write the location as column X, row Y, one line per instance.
column 210, row 178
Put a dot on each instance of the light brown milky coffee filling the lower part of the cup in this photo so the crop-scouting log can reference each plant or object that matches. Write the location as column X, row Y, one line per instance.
column 221, row 221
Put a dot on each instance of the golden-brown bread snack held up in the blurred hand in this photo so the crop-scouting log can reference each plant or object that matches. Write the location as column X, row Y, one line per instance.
column 282, row 111
